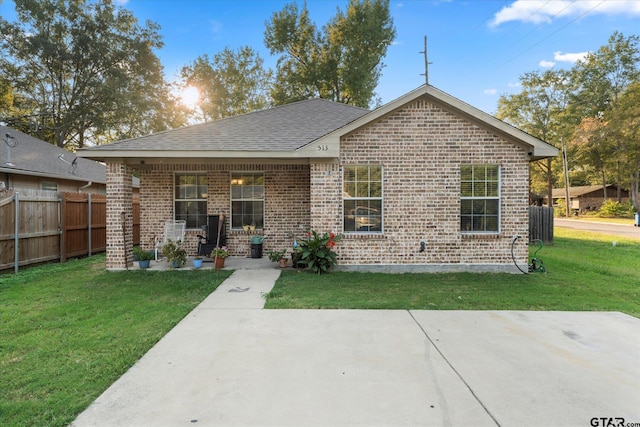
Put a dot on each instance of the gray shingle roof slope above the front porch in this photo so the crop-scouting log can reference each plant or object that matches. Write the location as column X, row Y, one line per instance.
column 283, row 128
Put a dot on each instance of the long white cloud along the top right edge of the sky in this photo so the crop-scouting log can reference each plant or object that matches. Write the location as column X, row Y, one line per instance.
column 541, row 11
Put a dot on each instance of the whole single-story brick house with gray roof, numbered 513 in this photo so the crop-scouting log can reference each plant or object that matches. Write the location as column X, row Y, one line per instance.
column 424, row 183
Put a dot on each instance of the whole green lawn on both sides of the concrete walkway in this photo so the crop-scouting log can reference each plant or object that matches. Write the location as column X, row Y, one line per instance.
column 68, row 331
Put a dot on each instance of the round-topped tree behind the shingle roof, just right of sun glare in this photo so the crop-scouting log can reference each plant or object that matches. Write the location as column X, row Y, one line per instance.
column 231, row 83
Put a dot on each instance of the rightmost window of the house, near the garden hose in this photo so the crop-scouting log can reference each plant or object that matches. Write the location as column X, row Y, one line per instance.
column 480, row 198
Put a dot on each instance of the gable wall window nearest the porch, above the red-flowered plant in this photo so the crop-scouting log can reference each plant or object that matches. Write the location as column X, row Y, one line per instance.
column 362, row 199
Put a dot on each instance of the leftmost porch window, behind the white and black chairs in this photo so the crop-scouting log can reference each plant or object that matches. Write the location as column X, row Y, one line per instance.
column 191, row 199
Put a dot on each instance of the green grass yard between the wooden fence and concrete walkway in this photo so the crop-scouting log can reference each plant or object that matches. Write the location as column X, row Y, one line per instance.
column 68, row 331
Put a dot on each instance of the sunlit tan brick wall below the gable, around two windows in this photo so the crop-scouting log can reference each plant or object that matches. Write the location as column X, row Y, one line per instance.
column 421, row 148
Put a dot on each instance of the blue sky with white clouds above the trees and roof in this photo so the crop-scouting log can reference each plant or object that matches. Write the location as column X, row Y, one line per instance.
column 478, row 48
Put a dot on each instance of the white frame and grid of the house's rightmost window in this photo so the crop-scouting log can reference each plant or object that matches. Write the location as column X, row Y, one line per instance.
column 479, row 196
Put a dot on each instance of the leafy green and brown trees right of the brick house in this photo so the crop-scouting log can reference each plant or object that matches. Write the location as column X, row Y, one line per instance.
column 593, row 108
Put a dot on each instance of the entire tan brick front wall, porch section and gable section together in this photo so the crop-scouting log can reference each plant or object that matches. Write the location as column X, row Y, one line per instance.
column 420, row 146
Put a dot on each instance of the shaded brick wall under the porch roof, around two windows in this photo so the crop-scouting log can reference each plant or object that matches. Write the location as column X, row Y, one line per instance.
column 286, row 203
